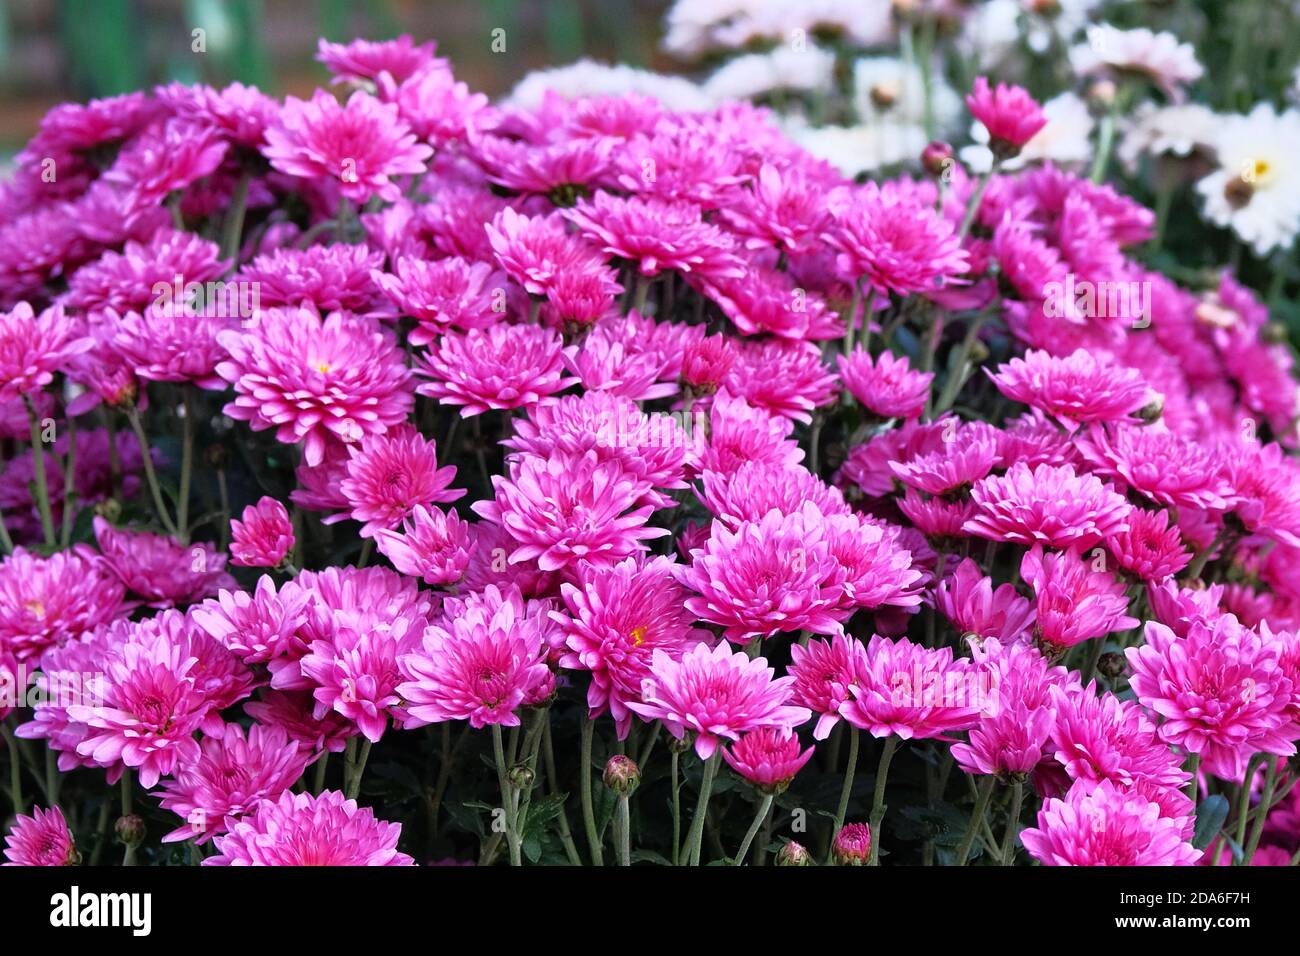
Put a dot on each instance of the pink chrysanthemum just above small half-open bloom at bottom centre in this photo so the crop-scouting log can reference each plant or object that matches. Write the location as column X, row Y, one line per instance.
column 717, row 694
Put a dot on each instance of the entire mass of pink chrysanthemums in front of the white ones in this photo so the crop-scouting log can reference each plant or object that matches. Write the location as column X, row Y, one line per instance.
column 604, row 410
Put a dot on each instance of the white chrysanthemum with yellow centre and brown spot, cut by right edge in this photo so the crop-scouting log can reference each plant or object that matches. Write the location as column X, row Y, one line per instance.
column 1256, row 189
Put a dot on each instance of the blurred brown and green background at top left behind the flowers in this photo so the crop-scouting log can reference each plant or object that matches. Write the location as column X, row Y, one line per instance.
column 73, row 50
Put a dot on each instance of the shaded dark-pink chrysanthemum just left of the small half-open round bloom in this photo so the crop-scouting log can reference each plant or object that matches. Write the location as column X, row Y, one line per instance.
column 161, row 570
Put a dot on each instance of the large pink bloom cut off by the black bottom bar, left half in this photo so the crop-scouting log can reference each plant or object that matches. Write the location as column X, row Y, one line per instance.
column 305, row 830
